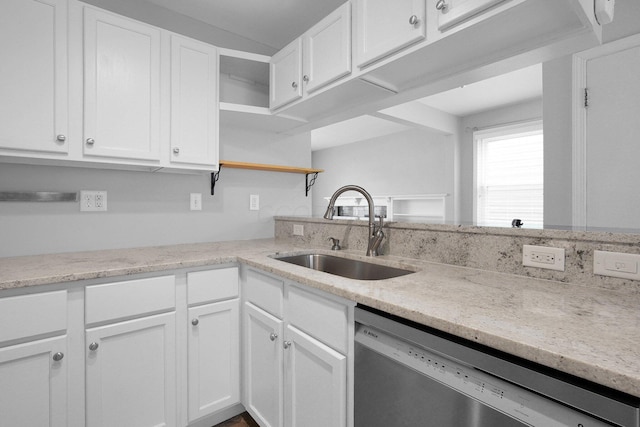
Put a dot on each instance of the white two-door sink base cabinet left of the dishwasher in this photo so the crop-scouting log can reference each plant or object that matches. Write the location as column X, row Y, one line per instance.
column 298, row 361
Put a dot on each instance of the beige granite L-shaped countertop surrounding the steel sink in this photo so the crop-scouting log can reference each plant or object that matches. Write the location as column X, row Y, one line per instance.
column 588, row 332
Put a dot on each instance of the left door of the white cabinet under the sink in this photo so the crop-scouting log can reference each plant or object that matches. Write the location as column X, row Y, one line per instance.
column 263, row 368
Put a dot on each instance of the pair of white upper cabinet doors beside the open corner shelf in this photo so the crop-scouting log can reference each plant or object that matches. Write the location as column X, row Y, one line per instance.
column 320, row 56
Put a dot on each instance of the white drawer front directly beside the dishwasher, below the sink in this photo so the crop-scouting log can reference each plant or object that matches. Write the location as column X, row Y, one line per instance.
column 322, row 318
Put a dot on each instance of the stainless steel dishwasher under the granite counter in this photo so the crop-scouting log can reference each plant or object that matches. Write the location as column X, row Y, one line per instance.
column 409, row 375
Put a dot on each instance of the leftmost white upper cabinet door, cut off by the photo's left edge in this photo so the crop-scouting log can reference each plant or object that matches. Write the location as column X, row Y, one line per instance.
column 33, row 75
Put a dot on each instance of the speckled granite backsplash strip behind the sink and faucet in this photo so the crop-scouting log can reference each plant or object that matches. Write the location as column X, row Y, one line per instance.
column 486, row 248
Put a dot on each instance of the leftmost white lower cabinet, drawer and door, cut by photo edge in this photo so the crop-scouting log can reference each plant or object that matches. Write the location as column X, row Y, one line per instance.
column 33, row 360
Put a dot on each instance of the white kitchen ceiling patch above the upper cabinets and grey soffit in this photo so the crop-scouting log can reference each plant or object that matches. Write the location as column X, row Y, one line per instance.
column 274, row 23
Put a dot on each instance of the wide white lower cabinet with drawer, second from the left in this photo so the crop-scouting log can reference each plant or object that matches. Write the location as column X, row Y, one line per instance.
column 130, row 353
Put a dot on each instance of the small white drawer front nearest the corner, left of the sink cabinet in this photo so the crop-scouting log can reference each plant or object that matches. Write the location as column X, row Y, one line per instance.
column 212, row 285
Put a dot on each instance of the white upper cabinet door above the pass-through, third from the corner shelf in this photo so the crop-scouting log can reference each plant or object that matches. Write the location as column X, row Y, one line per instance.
column 384, row 27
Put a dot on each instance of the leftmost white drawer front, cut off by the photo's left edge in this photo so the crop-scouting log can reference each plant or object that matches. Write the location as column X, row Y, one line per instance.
column 26, row 316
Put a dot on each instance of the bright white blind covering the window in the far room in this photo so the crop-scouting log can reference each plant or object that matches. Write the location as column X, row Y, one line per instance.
column 509, row 175
